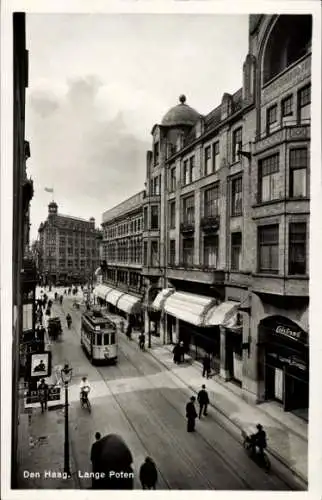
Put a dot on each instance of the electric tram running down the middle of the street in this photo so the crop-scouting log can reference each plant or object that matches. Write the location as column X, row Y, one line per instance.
column 99, row 337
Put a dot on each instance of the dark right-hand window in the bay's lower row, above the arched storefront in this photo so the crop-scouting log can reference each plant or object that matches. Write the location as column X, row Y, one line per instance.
column 297, row 248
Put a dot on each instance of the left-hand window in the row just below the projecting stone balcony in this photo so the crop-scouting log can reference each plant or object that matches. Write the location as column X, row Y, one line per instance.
column 268, row 178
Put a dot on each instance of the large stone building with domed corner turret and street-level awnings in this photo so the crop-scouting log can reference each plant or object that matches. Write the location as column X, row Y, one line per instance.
column 226, row 220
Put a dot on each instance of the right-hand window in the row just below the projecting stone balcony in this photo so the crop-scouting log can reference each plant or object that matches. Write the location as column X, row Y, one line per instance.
column 298, row 172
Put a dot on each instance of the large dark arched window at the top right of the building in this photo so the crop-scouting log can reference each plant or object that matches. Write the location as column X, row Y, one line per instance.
column 289, row 40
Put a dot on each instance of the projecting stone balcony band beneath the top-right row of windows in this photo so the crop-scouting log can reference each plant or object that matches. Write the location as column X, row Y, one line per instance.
column 283, row 134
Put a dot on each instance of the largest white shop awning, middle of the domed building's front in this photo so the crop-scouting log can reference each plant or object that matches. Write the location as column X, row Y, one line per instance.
column 188, row 307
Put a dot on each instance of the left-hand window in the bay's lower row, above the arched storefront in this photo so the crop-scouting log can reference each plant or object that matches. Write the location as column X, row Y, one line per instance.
column 268, row 249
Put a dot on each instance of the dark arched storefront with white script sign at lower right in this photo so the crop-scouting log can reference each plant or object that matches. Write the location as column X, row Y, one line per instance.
column 286, row 360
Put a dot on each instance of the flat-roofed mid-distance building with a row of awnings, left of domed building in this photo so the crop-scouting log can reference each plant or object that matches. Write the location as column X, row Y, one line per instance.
column 121, row 253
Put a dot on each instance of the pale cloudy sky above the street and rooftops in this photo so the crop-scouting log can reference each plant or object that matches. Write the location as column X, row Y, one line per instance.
column 98, row 84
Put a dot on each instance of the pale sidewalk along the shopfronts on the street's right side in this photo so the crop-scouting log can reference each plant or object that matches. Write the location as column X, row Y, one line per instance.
column 287, row 434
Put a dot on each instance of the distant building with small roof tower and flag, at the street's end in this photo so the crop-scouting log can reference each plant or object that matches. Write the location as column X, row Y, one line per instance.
column 68, row 248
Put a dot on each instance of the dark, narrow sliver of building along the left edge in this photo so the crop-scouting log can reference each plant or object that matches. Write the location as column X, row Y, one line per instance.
column 23, row 270
